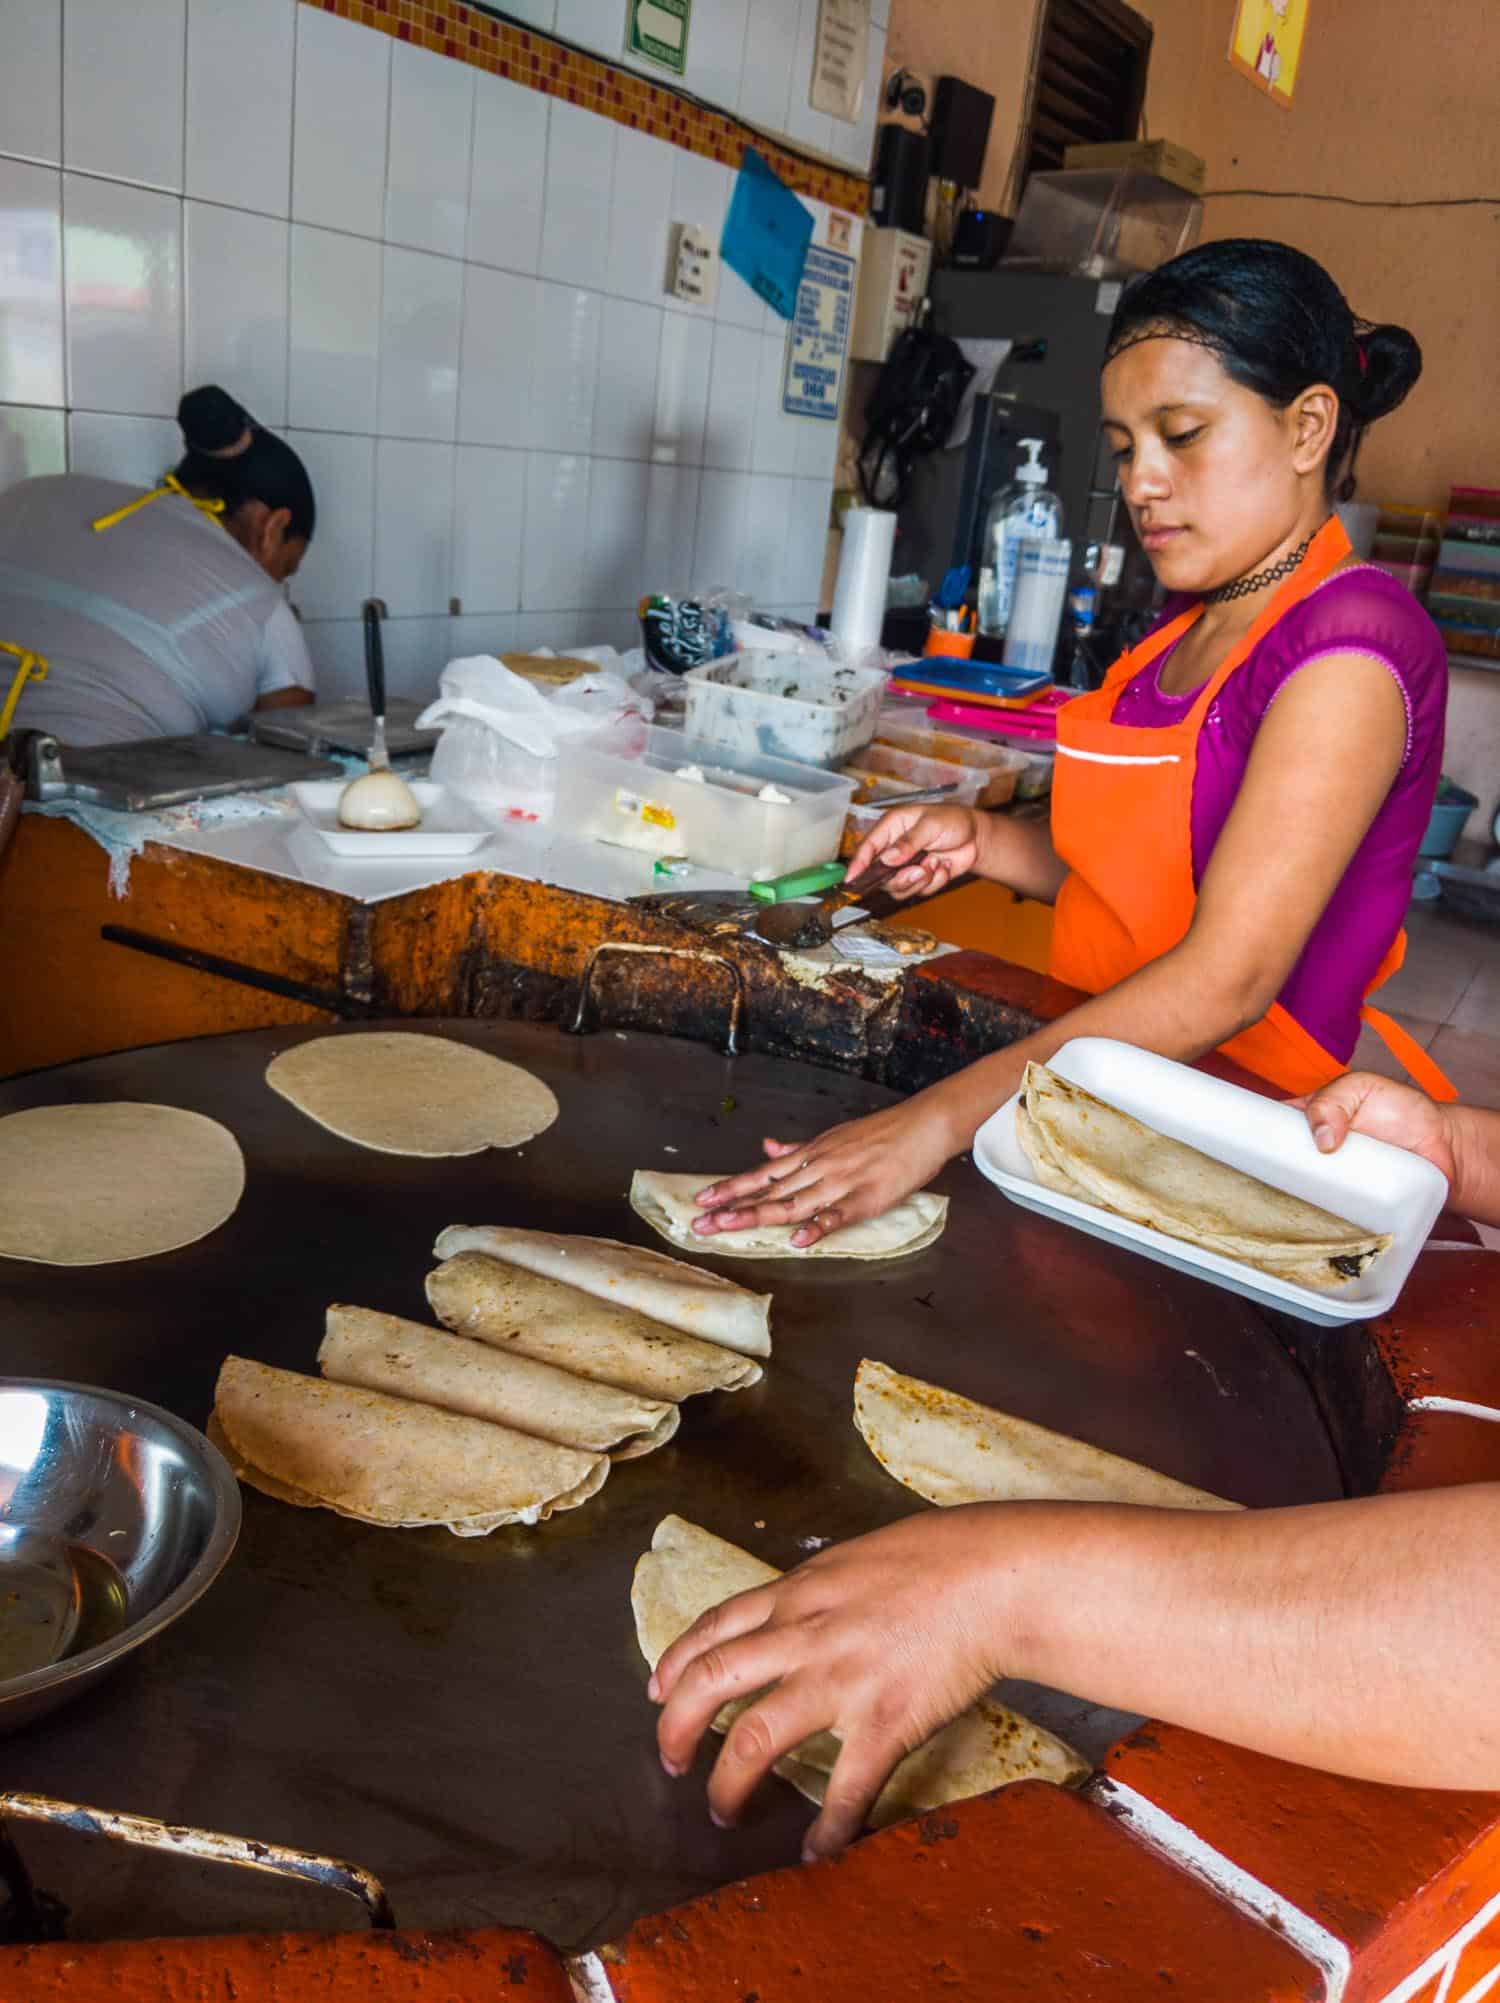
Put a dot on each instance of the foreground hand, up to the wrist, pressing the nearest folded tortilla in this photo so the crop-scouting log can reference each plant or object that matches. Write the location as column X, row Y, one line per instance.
column 838, row 1649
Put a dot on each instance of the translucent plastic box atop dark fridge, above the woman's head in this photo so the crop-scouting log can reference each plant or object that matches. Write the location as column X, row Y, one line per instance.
column 1102, row 225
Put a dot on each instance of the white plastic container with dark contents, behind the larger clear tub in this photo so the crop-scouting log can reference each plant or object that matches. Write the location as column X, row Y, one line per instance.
column 776, row 706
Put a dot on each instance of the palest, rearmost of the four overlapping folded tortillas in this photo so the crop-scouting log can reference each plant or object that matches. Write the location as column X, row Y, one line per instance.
column 670, row 1291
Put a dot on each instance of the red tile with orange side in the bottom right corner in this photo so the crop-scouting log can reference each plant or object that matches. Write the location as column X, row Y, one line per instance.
column 1393, row 1872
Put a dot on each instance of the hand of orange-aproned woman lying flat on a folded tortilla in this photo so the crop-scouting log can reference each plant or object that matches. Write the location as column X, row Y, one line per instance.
column 848, row 1175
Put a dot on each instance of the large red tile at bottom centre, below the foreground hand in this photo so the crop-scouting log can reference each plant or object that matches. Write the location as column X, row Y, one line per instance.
column 1024, row 1894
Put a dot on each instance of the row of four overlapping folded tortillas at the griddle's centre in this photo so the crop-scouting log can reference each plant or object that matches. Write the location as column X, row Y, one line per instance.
column 510, row 1413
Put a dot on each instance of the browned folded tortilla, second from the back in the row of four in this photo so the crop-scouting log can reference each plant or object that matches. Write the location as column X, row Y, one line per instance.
column 528, row 1315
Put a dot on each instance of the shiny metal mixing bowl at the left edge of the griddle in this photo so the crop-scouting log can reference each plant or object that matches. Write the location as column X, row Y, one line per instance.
column 115, row 1517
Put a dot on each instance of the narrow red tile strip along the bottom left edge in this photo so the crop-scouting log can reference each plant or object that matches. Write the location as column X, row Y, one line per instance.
column 293, row 1968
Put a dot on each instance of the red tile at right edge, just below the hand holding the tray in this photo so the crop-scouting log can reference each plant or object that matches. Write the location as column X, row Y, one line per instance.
column 1443, row 1337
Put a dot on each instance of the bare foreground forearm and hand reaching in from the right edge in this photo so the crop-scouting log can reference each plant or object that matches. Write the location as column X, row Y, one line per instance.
column 1359, row 1637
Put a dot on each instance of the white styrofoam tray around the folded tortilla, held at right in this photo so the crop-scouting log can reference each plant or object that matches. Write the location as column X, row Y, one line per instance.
column 1367, row 1183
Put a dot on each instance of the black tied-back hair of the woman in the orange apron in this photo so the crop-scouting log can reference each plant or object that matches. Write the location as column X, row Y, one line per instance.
column 1279, row 325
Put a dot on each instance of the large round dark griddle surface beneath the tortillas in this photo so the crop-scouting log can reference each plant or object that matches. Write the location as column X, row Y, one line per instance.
column 470, row 1720
